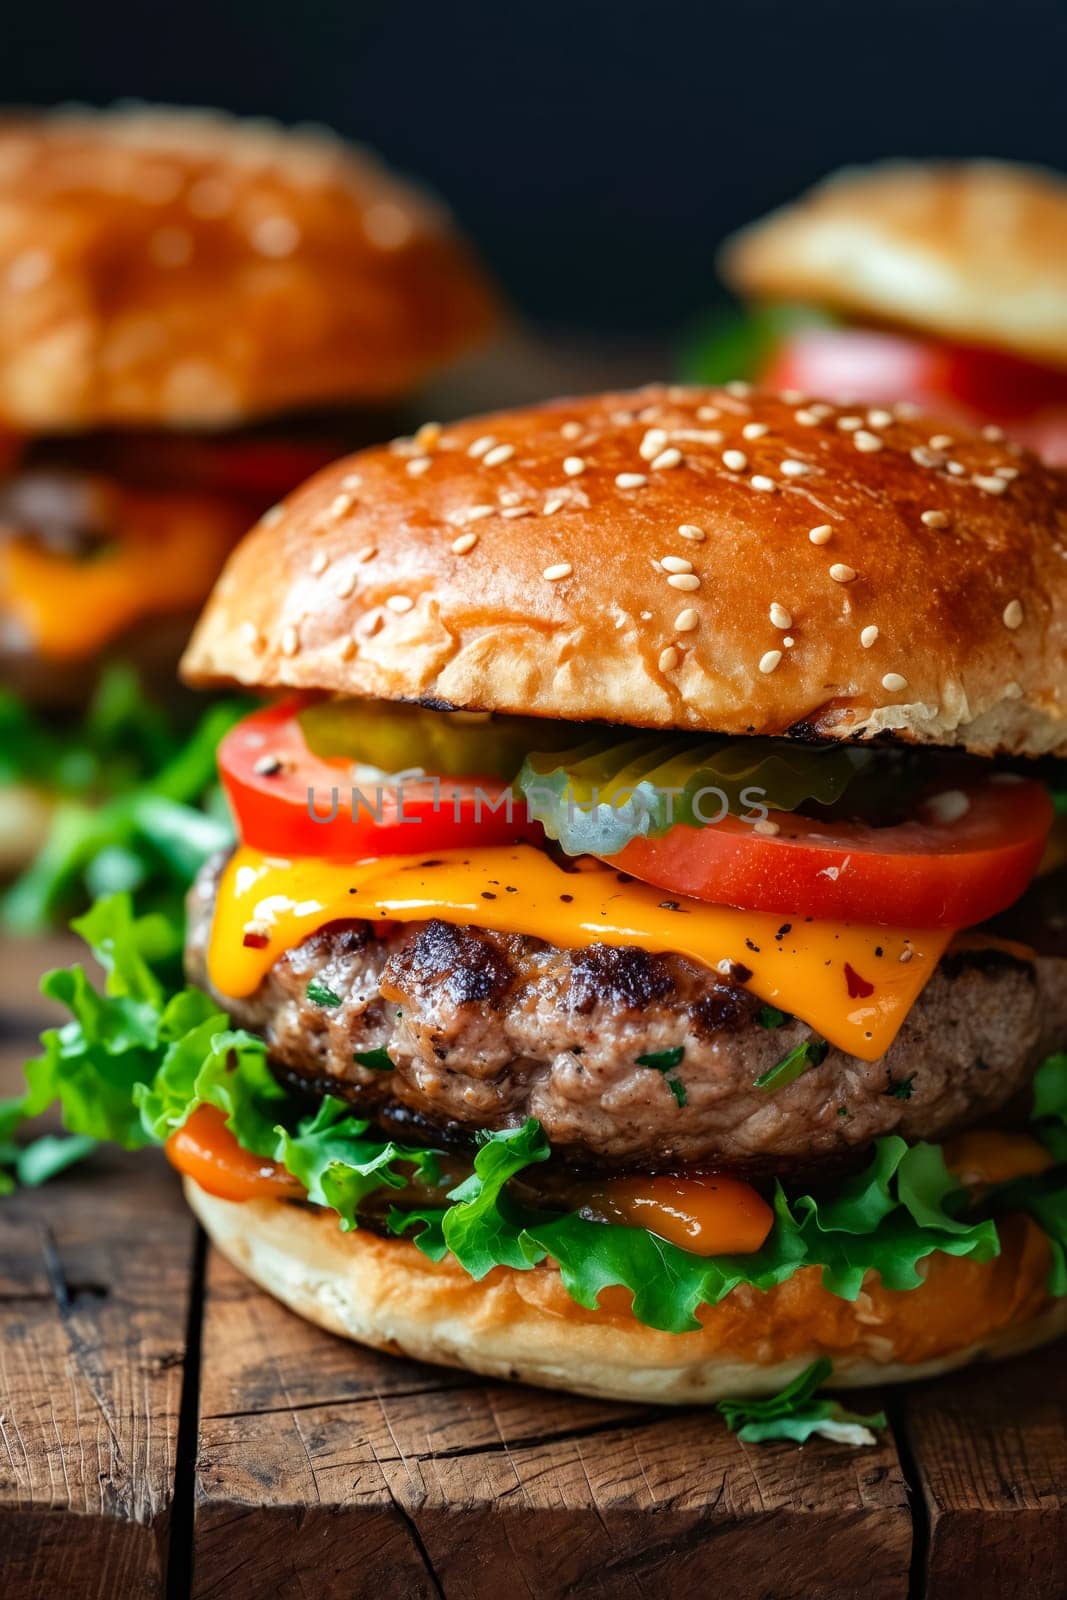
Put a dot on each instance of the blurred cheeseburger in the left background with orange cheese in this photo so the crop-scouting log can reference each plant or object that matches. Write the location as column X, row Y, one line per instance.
column 194, row 314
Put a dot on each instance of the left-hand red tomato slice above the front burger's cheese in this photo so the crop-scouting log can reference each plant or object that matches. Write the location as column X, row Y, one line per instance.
column 292, row 802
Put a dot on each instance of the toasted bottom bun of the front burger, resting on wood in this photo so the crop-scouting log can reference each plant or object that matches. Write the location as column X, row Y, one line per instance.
column 526, row 1327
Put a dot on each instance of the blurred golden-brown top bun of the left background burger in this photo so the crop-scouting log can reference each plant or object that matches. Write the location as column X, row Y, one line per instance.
column 186, row 268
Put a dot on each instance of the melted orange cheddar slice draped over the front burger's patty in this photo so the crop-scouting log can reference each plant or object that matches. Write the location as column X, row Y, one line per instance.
column 853, row 985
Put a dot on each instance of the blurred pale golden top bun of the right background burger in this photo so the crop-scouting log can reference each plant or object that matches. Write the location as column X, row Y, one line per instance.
column 973, row 252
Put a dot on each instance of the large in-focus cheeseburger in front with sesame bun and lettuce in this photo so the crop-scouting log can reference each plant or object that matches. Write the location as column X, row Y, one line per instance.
column 612, row 986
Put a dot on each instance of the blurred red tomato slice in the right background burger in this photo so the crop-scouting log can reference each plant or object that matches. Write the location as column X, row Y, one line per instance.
column 951, row 380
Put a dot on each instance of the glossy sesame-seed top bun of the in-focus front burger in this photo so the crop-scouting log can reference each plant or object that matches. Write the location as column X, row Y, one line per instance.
column 674, row 558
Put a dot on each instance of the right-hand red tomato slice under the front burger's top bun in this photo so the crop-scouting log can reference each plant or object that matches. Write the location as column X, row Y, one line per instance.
column 921, row 874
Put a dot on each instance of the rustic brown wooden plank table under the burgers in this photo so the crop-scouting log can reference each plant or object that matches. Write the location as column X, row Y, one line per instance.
column 166, row 1430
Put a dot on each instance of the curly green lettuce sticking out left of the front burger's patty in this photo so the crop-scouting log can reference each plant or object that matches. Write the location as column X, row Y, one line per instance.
column 137, row 1062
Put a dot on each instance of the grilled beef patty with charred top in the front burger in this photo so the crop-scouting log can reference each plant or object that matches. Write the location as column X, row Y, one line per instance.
column 487, row 1030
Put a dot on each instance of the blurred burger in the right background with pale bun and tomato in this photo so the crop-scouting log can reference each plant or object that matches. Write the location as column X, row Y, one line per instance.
column 937, row 282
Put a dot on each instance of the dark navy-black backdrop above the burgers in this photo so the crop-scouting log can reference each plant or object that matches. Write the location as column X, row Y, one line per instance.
column 596, row 153
